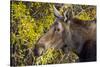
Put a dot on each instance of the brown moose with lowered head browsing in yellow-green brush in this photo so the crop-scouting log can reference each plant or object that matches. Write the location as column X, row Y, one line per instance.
column 68, row 33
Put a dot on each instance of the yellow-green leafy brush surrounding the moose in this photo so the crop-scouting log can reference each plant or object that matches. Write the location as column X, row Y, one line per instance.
column 29, row 21
